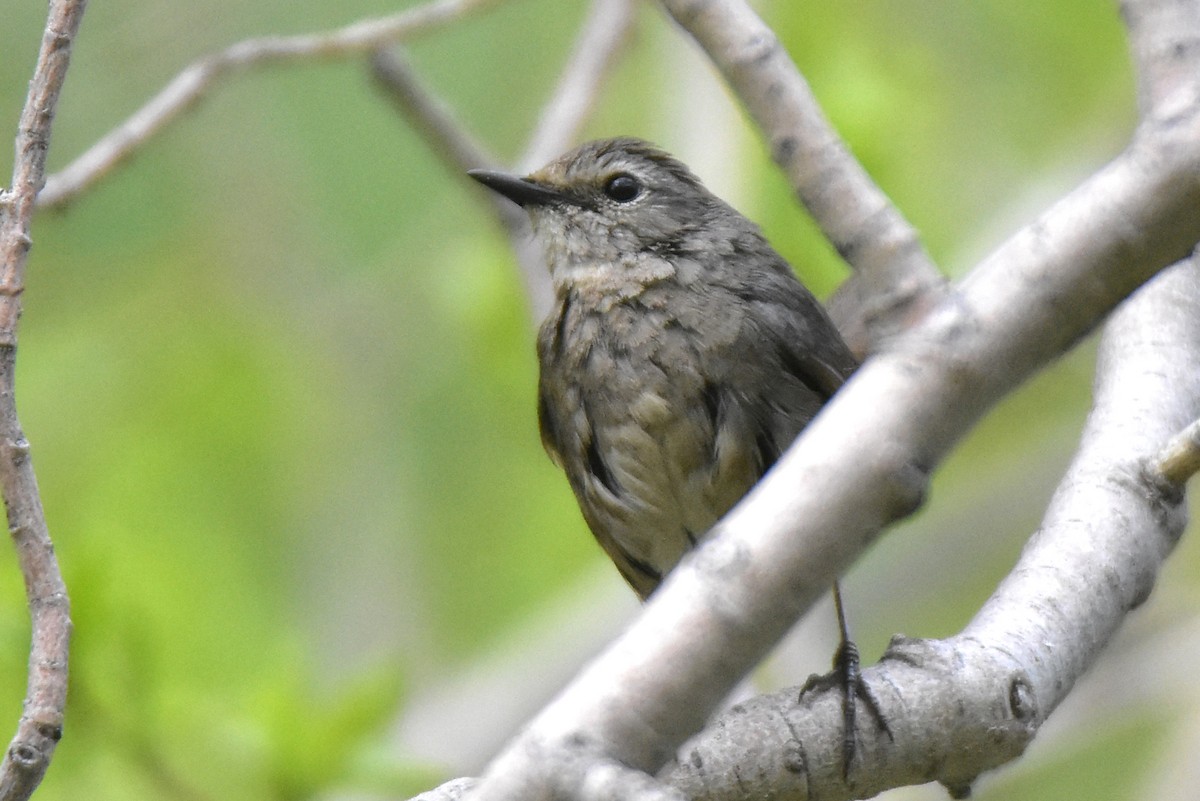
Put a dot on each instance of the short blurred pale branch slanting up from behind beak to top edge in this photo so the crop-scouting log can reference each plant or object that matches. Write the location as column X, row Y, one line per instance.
column 604, row 33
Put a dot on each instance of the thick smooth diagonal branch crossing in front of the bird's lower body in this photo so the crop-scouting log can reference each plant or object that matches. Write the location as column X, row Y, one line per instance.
column 863, row 463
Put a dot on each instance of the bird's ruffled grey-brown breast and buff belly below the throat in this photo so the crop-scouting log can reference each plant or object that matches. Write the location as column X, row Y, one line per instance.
column 632, row 412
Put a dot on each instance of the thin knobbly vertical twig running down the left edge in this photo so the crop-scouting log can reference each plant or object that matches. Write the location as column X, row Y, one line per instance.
column 41, row 724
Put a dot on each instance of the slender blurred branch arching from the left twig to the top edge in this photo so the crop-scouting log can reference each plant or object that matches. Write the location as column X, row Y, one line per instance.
column 199, row 79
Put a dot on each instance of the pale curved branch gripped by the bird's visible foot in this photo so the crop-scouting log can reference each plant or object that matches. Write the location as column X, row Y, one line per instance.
column 974, row 702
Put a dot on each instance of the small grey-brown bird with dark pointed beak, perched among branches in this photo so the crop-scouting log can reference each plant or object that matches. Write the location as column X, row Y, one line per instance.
column 681, row 359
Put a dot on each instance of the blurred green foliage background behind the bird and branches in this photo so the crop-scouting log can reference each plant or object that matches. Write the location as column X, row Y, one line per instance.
column 279, row 378
